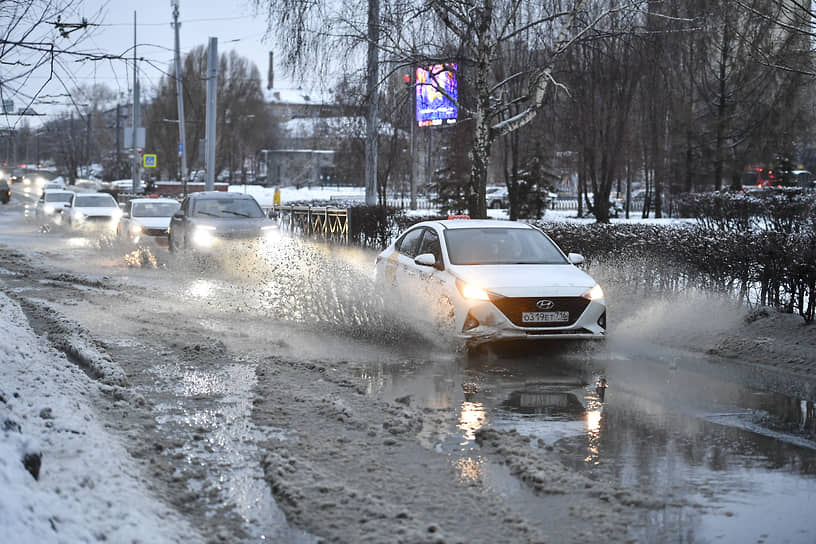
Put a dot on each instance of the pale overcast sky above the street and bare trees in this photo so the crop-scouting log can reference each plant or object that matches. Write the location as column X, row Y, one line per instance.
column 233, row 22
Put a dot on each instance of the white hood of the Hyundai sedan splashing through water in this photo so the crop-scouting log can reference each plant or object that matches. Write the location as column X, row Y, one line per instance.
column 527, row 280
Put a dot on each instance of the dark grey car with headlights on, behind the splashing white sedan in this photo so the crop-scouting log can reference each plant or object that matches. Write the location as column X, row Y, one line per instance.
column 212, row 220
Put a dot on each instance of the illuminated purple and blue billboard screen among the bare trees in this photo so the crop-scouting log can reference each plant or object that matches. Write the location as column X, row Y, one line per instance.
column 437, row 93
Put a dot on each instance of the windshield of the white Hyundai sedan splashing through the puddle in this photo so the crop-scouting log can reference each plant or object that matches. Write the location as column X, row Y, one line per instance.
column 476, row 246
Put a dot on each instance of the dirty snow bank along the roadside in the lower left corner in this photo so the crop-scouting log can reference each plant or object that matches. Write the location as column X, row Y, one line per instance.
column 88, row 488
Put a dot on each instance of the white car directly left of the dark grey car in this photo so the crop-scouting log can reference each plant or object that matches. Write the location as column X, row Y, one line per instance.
column 147, row 218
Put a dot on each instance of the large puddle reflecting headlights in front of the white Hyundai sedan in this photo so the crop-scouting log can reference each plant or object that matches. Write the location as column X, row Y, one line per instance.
column 732, row 464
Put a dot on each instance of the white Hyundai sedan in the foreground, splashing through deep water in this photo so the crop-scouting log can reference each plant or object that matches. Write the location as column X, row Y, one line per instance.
column 494, row 281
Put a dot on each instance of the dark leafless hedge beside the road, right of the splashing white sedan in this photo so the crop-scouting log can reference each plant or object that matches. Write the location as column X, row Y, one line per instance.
column 758, row 267
